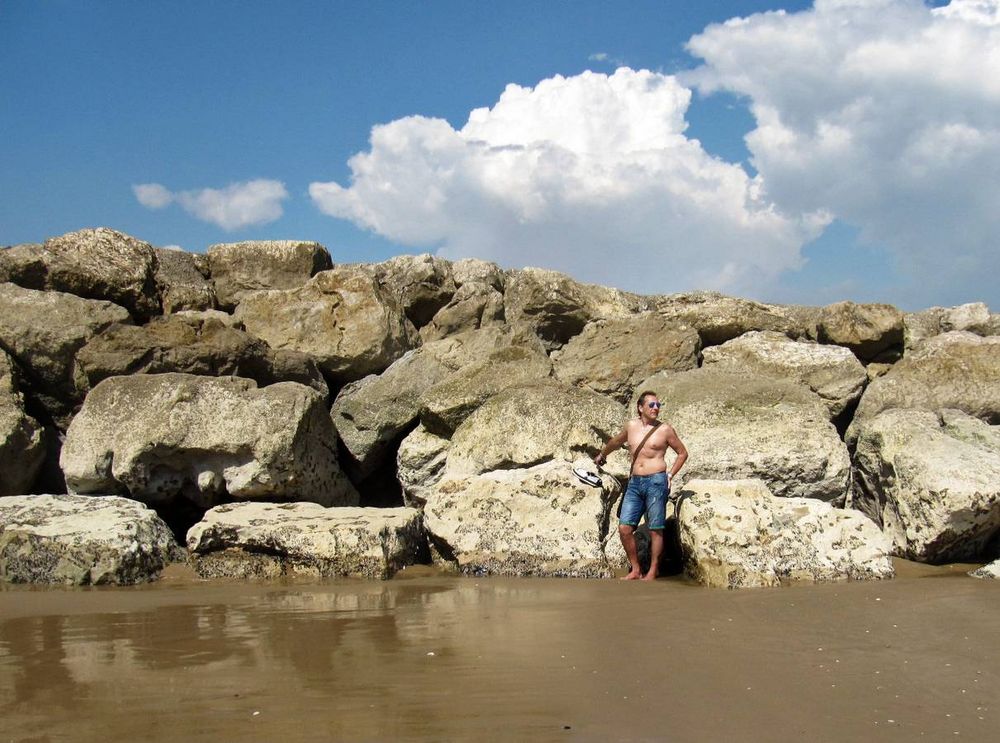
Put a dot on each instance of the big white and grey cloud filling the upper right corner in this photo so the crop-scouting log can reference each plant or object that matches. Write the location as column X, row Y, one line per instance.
column 883, row 113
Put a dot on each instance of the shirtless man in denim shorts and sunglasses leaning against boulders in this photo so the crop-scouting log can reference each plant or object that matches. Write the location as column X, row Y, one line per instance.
column 650, row 482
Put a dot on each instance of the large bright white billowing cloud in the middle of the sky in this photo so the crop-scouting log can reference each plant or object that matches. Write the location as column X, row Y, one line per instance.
column 591, row 174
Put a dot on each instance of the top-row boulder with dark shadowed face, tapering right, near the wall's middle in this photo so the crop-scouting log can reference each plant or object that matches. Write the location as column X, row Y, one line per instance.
column 555, row 307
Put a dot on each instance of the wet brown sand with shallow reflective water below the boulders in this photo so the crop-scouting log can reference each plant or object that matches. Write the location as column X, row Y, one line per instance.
column 429, row 657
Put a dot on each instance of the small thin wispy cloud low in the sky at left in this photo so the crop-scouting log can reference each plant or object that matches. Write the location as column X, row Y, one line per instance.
column 236, row 206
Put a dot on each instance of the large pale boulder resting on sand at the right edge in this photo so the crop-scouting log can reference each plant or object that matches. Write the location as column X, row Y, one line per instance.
column 933, row 483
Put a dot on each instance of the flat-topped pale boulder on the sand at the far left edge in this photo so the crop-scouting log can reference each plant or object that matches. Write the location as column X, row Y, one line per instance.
column 81, row 540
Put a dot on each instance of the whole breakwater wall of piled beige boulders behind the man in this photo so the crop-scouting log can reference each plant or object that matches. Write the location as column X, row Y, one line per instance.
column 277, row 413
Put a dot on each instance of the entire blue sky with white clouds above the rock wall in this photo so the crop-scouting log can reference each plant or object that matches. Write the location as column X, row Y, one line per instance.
column 846, row 150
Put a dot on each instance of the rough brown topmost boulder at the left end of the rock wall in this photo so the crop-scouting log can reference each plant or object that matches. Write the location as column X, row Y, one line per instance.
column 93, row 263
